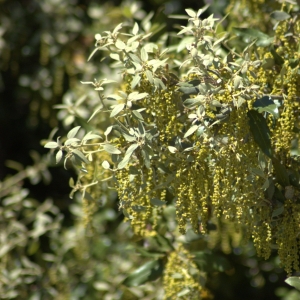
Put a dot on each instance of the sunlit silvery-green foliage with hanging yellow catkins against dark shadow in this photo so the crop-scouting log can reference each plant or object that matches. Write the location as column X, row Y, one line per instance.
column 193, row 136
